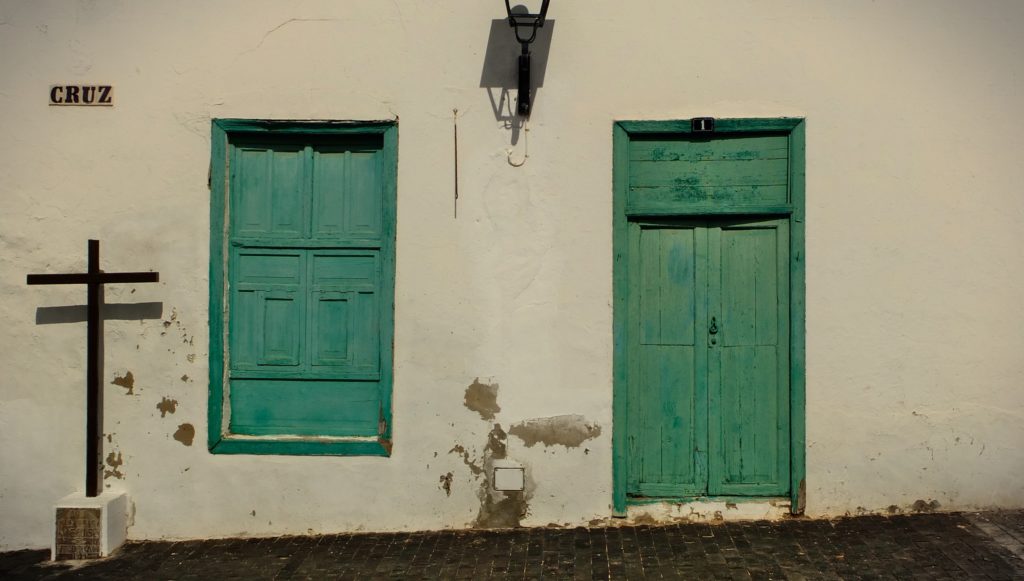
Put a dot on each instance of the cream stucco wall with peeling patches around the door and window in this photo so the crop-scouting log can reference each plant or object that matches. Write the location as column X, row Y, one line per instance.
column 915, row 246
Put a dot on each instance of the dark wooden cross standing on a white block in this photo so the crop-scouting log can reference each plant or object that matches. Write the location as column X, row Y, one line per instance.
column 95, row 280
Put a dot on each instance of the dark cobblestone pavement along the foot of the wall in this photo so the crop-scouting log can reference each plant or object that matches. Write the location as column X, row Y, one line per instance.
column 988, row 546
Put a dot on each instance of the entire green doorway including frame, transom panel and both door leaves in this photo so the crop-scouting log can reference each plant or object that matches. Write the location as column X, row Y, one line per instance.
column 709, row 311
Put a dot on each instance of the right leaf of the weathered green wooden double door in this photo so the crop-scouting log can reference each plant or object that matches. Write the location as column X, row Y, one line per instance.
column 749, row 417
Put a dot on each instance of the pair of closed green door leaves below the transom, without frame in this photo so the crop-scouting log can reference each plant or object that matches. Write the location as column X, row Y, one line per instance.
column 708, row 385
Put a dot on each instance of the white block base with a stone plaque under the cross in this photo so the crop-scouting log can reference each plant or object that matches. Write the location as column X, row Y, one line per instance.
column 90, row 528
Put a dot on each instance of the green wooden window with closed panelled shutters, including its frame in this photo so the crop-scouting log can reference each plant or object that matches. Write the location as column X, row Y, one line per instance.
column 303, row 219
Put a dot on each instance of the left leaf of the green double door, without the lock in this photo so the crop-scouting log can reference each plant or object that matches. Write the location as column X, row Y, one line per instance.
column 667, row 447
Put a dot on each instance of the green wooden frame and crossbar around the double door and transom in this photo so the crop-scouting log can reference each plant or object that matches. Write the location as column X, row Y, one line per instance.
column 623, row 132
